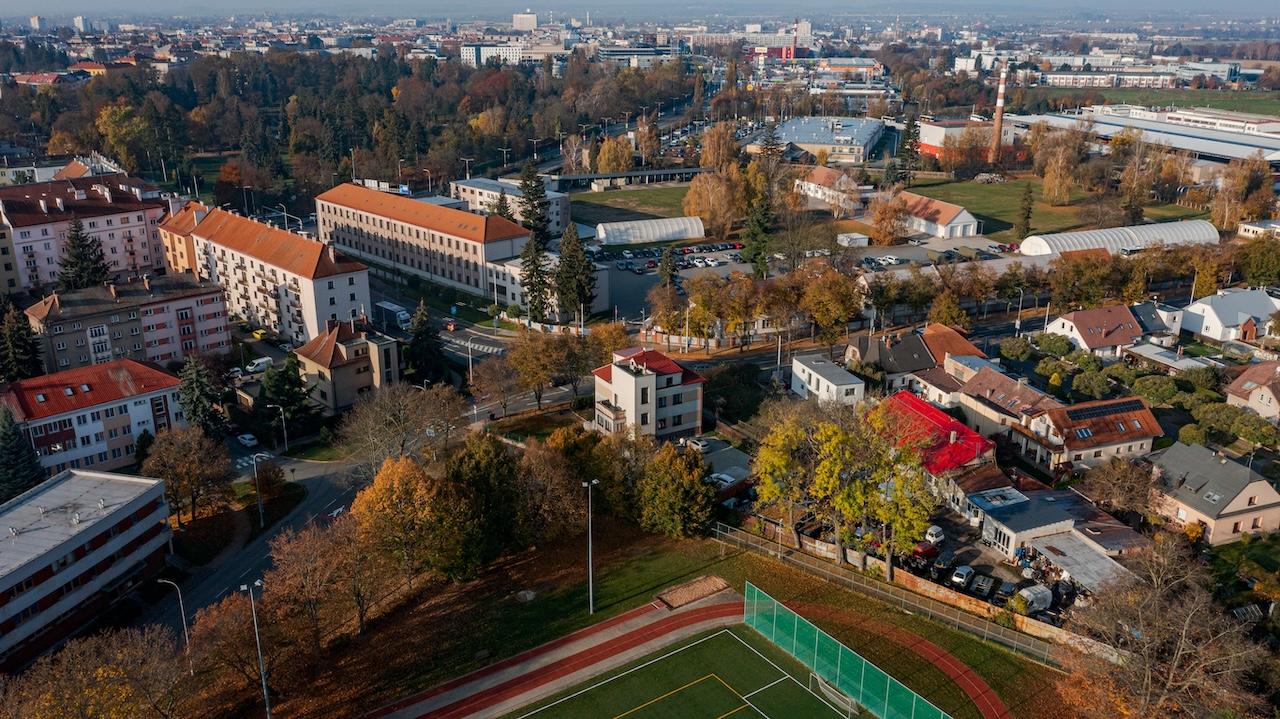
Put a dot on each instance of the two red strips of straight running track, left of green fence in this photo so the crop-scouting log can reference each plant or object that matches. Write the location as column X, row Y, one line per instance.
column 561, row 668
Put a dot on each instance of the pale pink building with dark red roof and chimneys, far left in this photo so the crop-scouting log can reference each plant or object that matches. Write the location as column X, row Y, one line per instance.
column 118, row 210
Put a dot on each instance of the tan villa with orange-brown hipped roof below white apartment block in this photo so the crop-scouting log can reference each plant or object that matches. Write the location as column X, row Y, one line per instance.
column 346, row 361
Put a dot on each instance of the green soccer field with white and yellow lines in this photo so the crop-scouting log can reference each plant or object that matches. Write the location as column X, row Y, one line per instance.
column 728, row 674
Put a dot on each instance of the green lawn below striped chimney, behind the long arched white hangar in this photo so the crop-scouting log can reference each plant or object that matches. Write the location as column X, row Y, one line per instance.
column 998, row 207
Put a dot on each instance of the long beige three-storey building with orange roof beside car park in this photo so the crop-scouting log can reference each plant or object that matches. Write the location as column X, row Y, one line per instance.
column 442, row 245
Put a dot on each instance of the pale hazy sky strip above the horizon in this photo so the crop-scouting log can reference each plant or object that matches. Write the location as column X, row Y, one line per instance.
column 15, row 10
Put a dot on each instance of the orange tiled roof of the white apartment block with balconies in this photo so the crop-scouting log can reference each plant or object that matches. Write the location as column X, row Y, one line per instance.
column 273, row 246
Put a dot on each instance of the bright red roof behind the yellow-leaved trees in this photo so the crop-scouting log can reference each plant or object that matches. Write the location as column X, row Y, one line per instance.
column 922, row 422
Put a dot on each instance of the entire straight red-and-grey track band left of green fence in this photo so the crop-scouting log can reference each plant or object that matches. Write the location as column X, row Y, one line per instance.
column 564, row 663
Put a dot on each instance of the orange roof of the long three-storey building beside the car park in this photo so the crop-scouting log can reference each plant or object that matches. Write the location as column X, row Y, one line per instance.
column 447, row 221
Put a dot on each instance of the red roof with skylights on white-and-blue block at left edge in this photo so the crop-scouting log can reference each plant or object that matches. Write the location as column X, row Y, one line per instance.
column 63, row 392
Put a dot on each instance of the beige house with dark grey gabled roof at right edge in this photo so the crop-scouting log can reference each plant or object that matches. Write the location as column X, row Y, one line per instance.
column 1197, row 486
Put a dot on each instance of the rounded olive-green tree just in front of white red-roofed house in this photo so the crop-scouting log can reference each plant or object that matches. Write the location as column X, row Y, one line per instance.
column 674, row 500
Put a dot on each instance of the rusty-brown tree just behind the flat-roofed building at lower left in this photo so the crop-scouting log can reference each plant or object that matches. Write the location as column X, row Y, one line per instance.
column 195, row 469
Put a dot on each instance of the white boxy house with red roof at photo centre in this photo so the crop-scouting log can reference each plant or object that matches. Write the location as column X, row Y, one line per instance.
column 650, row 393
